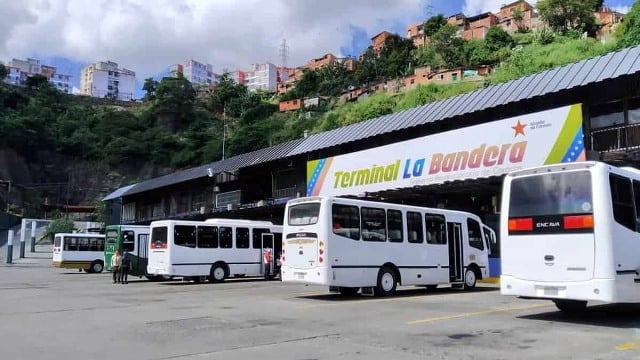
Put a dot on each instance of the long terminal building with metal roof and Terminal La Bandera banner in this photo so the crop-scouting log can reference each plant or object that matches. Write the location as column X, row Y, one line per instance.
column 452, row 153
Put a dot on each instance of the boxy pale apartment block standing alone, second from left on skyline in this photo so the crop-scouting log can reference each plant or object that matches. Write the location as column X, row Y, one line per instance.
column 104, row 79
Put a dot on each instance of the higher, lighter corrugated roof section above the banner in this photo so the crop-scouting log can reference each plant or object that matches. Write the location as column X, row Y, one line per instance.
column 600, row 68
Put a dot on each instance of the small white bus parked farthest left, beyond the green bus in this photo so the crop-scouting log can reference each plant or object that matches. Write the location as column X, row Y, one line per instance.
column 79, row 251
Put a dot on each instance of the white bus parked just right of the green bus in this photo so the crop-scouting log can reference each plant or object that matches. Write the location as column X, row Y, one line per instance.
column 213, row 249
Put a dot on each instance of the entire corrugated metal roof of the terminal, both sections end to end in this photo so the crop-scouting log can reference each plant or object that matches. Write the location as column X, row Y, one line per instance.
column 608, row 66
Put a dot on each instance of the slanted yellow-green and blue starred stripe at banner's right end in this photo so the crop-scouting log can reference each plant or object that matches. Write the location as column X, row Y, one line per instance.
column 569, row 146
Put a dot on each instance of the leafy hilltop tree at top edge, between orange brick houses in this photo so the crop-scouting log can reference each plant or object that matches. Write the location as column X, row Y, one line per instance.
column 566, row 15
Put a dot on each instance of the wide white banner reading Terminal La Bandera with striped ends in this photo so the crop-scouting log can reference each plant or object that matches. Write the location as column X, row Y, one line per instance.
column 480, row 151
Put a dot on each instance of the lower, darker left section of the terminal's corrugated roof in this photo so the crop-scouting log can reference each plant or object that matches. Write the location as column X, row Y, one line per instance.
column 236, row 162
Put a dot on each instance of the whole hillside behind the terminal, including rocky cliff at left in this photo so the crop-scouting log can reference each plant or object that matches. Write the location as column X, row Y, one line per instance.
column 60, row 149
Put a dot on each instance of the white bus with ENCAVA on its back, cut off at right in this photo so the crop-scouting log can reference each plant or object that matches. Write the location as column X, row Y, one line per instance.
column 570, row 233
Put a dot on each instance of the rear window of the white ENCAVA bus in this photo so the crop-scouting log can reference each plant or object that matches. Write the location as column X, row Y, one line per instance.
column 551, row 194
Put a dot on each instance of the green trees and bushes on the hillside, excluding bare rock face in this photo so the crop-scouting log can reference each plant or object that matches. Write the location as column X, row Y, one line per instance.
column 175, row 127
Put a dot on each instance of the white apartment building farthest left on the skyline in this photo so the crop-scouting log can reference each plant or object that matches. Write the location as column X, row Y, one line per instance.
column 19, row 70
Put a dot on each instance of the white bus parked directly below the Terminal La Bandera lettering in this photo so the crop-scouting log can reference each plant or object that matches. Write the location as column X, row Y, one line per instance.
column 351, row 244
